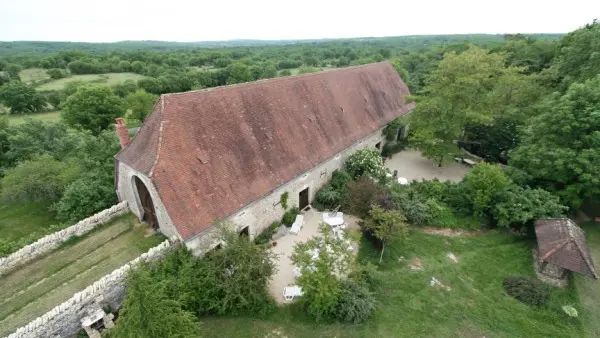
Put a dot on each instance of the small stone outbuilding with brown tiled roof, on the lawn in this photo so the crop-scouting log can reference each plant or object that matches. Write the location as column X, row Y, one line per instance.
column 561, row 248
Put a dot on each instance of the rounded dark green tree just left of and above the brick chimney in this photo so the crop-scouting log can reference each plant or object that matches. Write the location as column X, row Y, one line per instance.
column 92, row 107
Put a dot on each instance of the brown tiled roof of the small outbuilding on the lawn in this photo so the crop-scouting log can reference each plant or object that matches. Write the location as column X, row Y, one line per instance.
column 562, row 242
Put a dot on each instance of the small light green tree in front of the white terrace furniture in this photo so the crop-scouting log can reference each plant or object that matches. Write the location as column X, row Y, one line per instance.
column 318, row 280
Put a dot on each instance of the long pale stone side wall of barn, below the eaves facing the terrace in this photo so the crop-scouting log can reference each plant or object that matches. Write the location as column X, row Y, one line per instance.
column 261, row 213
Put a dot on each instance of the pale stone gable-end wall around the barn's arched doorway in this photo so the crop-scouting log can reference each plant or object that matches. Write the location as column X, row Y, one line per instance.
column 127, row 191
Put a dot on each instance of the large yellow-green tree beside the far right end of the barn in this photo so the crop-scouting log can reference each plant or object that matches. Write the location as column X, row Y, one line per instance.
column 464, row 89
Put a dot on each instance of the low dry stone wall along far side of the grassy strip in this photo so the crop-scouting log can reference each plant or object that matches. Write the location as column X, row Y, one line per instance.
column 52, row 241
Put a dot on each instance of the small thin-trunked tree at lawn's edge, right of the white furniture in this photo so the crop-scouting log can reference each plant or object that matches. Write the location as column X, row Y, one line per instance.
column 385, row 225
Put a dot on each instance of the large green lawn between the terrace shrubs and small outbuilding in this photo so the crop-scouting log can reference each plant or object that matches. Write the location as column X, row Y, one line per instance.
column 476, row 306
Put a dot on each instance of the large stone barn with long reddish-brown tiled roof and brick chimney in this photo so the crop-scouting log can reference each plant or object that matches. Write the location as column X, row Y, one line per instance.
column 229, row 153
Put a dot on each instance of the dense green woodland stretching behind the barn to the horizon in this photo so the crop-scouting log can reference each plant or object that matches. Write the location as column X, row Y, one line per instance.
column 529, row 101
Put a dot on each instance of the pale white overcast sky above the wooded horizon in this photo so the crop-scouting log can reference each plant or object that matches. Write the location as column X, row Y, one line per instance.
column 210, row 20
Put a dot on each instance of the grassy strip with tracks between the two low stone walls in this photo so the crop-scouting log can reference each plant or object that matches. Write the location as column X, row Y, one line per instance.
column 34, row 289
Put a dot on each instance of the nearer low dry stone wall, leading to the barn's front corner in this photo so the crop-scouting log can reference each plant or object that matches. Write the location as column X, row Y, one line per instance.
column 108, row 291
